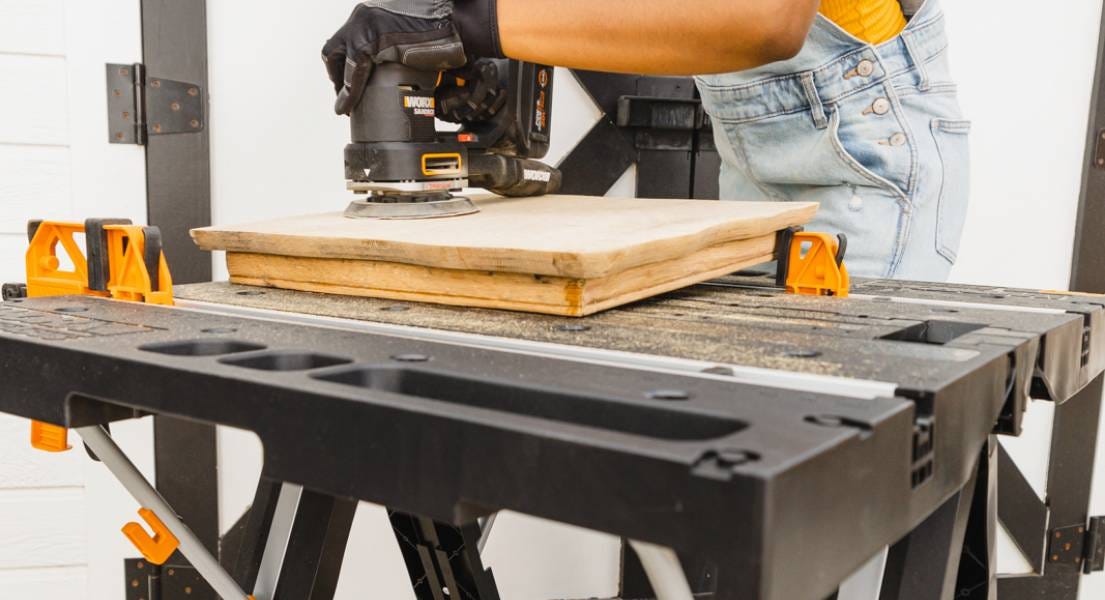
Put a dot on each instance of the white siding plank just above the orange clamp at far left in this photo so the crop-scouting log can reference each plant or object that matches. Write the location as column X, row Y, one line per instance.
column 35, row 184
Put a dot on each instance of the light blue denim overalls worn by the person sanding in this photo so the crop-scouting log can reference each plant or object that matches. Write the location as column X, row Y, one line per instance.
column 872, row 133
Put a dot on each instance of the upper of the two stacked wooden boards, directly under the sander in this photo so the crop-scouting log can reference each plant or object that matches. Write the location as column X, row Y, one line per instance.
column 555, row 236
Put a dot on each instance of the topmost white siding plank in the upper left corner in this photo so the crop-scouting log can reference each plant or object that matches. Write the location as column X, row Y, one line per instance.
column 33, row 27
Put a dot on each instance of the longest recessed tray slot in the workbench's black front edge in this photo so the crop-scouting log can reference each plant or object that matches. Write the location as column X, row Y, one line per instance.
column 647, row 418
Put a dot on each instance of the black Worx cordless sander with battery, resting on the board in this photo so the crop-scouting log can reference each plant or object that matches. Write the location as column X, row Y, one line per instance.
column 407, row 170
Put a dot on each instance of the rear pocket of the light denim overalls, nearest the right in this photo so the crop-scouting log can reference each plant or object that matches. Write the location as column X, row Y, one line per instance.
column 952, row 143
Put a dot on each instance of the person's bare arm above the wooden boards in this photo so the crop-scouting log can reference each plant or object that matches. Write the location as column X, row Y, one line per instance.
column 655, row 37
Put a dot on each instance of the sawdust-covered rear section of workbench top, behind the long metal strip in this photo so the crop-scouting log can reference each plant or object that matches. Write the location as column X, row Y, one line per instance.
column 939, row 333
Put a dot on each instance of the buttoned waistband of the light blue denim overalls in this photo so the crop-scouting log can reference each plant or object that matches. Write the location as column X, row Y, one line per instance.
column 840, row 77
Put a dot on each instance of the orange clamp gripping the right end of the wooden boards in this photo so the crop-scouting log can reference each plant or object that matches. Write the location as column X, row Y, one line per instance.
column 815, row 268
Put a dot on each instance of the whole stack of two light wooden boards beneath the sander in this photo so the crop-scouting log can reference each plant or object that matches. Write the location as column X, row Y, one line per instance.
column 560, row 256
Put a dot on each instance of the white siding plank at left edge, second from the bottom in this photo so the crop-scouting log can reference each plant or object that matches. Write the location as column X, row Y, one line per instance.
column 43, row 529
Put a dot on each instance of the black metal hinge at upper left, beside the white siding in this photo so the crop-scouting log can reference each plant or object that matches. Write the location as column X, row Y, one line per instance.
column 141, row 106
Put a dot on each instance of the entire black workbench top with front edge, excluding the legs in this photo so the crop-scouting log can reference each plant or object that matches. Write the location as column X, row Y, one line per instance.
column 792, row 488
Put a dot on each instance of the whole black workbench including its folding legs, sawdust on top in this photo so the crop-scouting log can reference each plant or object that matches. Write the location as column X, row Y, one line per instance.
column 776, row 443
